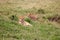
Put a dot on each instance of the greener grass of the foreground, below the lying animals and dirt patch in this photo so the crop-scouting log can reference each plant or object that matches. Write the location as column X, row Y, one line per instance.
column 43, row 31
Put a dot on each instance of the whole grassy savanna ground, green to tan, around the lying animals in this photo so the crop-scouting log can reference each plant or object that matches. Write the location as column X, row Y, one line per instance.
column 41, row 29
